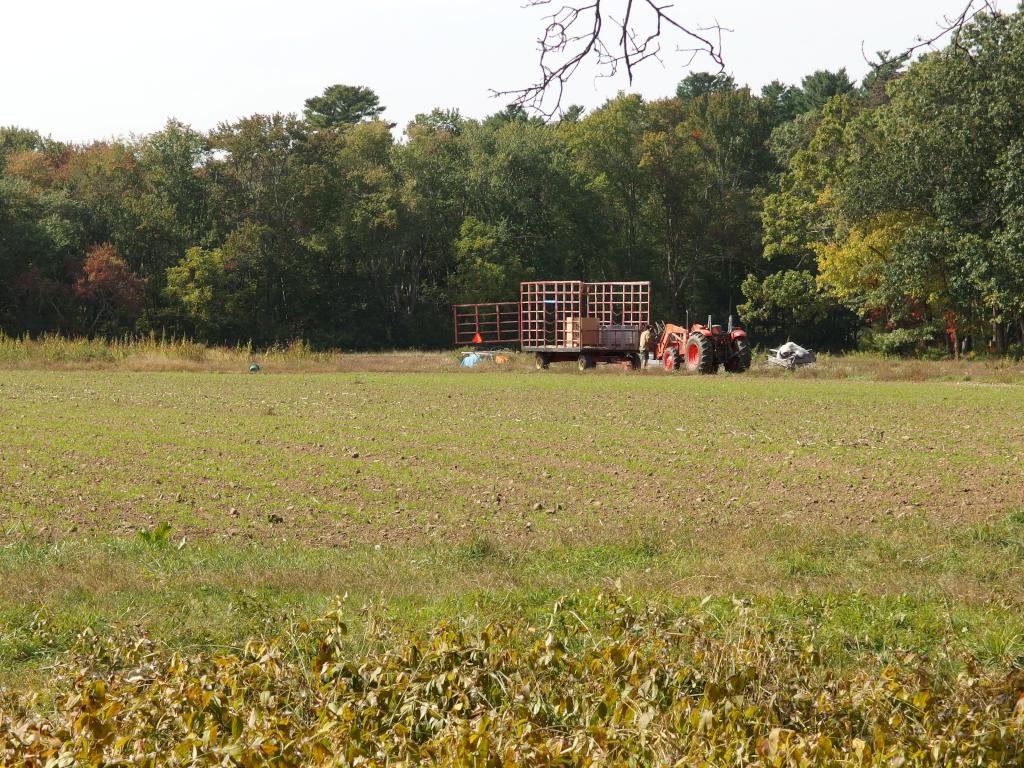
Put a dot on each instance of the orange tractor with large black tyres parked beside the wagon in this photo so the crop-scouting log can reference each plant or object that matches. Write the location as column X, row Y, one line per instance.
column 704, row 349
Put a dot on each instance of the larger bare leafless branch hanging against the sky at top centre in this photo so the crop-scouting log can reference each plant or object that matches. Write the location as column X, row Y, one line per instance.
column 578, row 32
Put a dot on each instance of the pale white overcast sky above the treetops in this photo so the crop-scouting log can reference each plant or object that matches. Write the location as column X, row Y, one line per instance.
column 81, row 71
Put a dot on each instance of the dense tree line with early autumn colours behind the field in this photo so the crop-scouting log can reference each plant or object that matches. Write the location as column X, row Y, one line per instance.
column 887, row 214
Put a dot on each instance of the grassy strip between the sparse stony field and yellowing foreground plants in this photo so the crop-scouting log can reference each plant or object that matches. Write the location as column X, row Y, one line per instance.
column 211, row 596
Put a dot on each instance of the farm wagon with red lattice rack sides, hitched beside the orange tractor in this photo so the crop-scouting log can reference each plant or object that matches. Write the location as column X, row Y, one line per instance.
column 561, row 321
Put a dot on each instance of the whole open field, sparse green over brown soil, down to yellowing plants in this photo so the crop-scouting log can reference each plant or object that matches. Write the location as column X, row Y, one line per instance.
column 889, row 515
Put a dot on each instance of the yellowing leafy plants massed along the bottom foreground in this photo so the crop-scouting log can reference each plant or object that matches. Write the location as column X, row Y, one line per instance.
column 600, row 682
